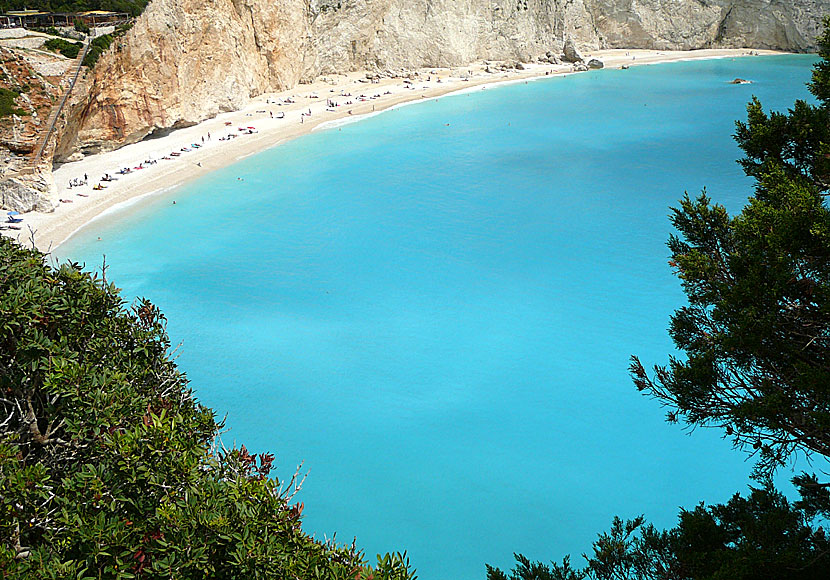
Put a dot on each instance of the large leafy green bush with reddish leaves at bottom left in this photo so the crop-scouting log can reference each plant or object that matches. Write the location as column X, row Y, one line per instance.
column 106, row 461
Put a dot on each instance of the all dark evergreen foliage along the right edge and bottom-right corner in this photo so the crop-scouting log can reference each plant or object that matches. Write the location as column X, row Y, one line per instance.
column 756, row 335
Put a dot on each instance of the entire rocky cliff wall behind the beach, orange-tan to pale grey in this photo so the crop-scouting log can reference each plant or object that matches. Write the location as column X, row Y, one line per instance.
column 187, row 60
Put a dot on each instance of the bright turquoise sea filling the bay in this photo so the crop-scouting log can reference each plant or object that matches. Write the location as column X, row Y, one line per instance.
column 434, row 308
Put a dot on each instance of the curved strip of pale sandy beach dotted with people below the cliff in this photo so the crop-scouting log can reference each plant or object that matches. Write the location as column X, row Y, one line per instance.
column 266, row 121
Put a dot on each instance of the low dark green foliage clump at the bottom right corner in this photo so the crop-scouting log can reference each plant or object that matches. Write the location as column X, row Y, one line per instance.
column 760, row 537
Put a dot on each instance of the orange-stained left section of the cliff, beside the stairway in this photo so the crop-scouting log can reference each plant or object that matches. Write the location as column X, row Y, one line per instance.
column 184, row 61
